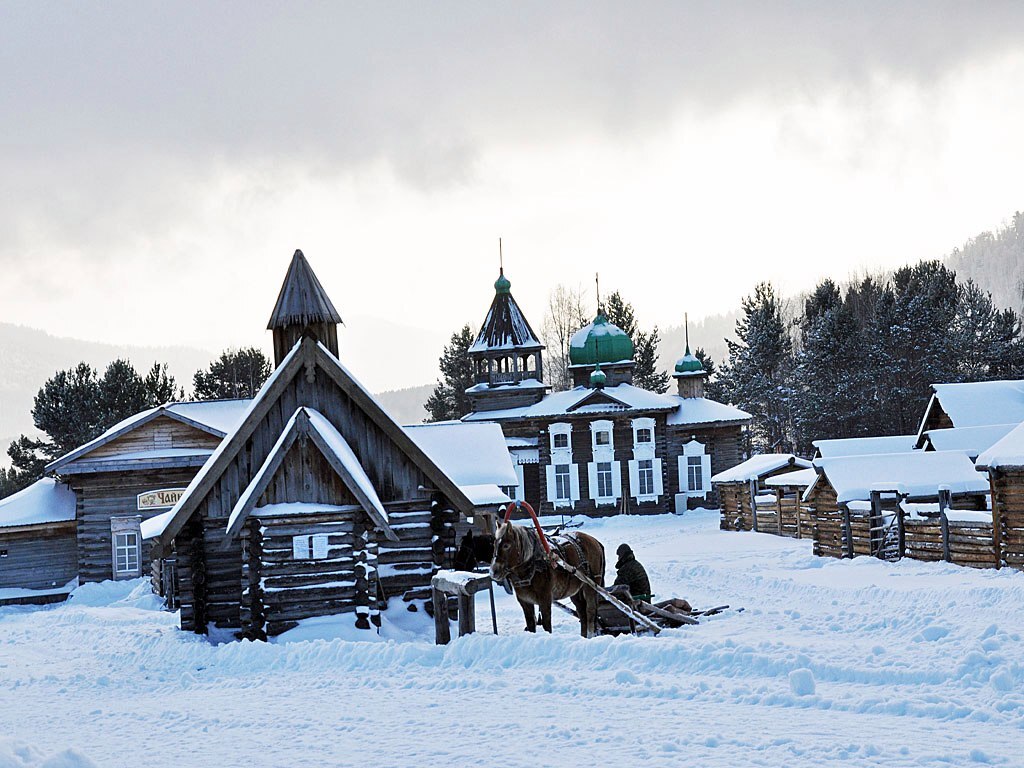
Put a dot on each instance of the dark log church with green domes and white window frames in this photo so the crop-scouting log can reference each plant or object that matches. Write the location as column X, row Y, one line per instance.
column 605, row 447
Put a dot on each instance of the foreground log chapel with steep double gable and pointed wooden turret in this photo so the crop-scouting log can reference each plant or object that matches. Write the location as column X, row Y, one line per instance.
column 317, row 503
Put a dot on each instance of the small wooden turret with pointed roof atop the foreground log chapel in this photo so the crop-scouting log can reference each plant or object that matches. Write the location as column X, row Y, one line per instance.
column 304, row 308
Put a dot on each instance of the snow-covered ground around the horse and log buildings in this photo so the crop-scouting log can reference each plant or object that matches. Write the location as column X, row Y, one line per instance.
column 869, row 663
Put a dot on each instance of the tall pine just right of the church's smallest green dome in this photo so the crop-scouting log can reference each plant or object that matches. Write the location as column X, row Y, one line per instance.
column 757, row 376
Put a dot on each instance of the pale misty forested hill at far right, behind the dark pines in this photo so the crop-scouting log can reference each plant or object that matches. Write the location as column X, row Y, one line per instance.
column 996, row 262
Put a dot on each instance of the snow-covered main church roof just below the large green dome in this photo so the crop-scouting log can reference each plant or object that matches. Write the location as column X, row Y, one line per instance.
column 585, row 400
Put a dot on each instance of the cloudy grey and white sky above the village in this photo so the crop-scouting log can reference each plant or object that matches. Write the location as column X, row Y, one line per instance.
column 163, row 161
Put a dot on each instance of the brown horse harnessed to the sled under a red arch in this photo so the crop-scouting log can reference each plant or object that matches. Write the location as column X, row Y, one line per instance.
column 521, row 559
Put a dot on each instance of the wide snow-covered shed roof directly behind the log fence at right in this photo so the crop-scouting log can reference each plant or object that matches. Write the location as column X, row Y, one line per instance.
column 916, row 475
